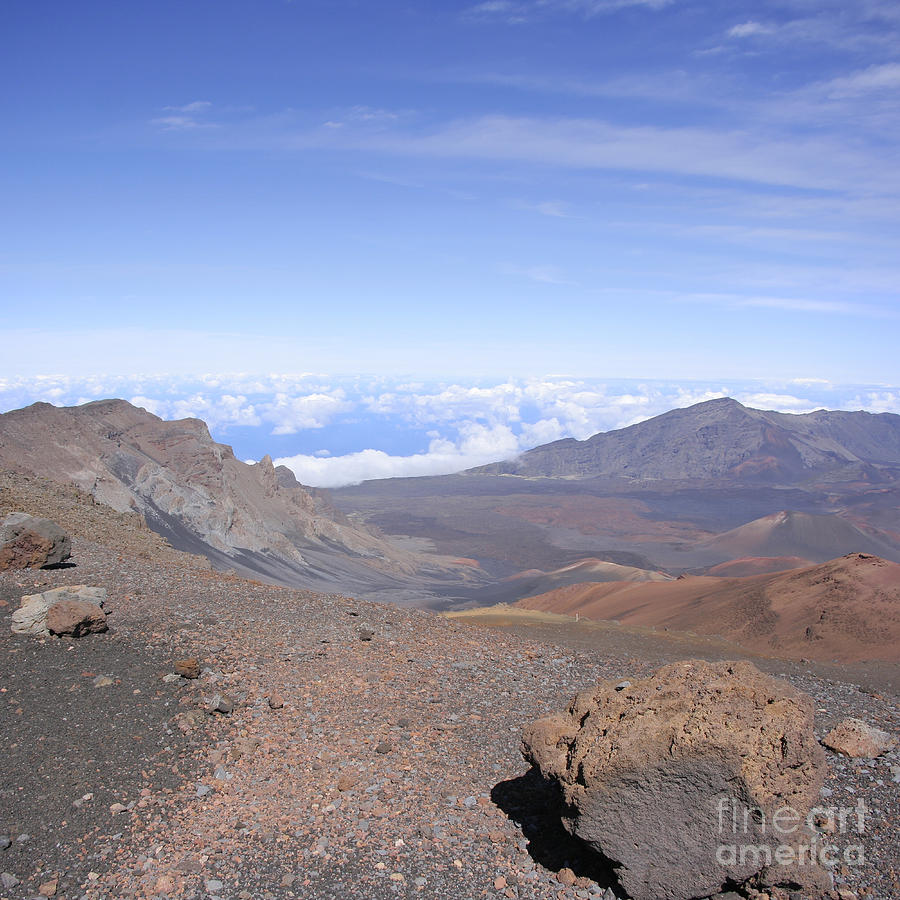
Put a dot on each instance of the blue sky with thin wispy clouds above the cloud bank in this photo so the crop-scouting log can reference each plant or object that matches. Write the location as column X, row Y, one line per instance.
column 679, row 191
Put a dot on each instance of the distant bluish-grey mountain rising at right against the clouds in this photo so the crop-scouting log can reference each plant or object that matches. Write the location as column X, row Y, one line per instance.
column 721, row 439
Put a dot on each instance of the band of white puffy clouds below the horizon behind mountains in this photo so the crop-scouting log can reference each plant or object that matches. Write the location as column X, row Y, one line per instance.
column 337, row 430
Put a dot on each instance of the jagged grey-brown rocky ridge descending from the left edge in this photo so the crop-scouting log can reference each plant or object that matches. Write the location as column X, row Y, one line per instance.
column 197, row 494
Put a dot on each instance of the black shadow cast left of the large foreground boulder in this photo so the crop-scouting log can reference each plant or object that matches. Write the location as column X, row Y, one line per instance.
column 534, row 804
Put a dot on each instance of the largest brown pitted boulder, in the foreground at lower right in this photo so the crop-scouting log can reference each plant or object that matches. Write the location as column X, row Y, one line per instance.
column 698, row 776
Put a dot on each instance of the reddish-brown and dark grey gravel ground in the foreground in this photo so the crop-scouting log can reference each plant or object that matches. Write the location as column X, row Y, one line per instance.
column 389, row 766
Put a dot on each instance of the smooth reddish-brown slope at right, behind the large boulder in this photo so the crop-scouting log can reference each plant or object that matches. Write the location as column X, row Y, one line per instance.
column 847, row 609
